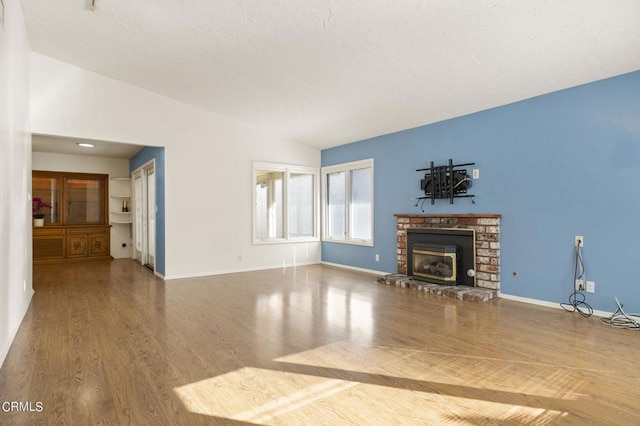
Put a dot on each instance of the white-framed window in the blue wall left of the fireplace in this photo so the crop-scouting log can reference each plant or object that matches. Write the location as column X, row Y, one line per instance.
column 348, row 202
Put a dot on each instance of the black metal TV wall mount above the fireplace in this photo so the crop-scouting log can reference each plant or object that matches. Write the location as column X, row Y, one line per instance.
column 445, row 182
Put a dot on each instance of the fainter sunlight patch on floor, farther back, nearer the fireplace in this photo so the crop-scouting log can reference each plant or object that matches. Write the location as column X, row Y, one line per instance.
column 528, row 378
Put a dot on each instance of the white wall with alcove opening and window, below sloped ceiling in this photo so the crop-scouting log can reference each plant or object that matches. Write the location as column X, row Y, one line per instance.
column 208, row 164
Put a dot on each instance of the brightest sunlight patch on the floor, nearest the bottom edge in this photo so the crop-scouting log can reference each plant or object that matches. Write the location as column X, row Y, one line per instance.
column 265, row 396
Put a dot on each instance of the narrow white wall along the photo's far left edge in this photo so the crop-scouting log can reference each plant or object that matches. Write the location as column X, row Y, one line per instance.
column 15, row 176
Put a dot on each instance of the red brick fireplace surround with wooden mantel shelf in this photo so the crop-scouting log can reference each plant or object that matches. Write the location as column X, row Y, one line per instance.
column 487, row 227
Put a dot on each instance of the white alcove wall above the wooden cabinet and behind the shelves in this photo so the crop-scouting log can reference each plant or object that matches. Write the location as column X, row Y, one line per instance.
column 89, row 164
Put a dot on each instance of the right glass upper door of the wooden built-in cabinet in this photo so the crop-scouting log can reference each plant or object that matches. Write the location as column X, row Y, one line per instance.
column 84, row 200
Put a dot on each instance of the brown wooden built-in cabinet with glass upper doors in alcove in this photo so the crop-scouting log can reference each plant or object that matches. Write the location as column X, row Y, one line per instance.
column 76, row 225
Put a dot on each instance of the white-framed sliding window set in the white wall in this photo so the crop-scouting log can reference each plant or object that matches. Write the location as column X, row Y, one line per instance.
column 285, row 203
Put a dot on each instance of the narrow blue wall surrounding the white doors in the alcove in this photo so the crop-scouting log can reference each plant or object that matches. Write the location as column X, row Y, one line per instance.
column 144, row 156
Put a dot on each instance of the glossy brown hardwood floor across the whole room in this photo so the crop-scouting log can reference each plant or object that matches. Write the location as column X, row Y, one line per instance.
column 109, row 343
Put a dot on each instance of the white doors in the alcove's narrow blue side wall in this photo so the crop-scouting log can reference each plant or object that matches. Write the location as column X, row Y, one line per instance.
column 144, row 223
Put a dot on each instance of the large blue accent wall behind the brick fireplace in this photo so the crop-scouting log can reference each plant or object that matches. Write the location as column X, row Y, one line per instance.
column 554, row 166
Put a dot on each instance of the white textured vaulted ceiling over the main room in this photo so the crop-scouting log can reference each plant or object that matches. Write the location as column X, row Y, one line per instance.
column 329, row 72
